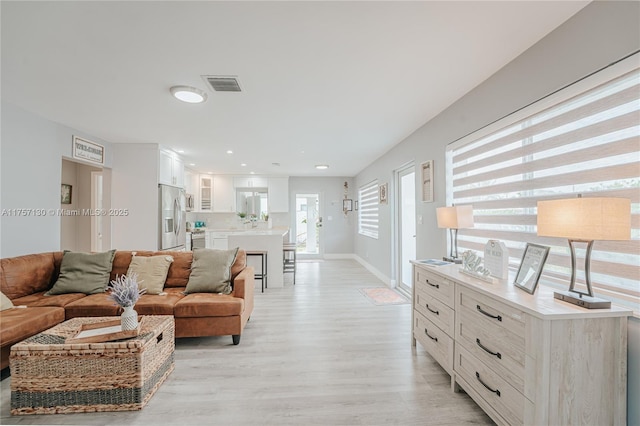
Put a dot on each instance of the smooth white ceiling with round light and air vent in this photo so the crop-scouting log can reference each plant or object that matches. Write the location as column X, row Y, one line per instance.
column 338, row 83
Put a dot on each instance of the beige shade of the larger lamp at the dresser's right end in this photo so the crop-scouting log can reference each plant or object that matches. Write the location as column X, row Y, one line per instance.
column 585, row 218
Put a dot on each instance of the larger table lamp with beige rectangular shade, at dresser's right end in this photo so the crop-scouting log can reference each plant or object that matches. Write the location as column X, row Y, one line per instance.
column 584, row 220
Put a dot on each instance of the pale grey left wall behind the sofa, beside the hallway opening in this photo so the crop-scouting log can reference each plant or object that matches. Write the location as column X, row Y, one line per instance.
column 31, row 170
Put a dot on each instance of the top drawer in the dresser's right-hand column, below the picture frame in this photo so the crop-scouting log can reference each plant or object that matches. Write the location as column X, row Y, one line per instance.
column 490, row 312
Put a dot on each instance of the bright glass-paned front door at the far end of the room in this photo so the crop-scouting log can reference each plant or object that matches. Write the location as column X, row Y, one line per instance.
column 308, row 235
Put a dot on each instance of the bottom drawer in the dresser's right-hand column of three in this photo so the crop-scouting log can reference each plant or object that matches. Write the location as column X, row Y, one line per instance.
column 485, row 383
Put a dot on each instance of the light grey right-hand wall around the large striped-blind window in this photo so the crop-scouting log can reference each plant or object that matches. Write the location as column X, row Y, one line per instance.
column 601, row 33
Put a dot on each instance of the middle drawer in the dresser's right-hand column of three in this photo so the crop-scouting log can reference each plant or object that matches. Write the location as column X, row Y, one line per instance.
column 498, row 348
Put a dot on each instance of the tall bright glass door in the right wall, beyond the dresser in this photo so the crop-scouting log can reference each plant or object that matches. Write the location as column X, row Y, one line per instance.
column 405, row 226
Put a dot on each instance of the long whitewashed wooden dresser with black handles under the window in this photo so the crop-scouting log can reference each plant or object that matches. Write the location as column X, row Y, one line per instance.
column 524, row 359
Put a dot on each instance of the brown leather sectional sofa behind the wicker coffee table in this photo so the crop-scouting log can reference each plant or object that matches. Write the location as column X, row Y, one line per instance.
column 25, row 279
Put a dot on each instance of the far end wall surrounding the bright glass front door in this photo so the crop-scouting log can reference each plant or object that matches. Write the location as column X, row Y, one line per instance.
column 337, row 230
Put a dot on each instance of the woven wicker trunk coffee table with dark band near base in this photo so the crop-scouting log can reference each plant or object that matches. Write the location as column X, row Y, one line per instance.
column 49, row 376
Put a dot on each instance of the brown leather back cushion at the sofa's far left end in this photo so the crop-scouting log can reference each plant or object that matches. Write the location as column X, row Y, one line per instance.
column 28, row 274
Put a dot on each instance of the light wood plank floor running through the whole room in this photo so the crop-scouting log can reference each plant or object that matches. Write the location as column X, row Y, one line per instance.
column 317, row 353
